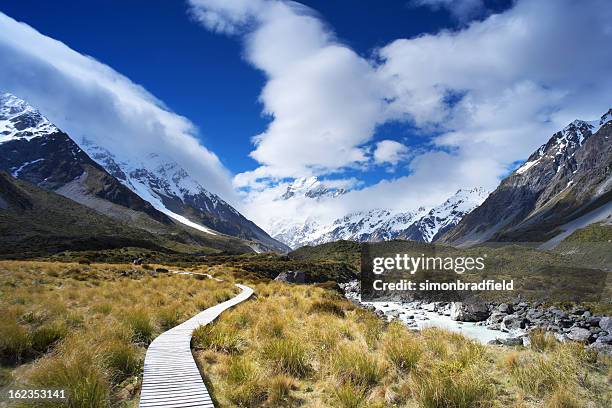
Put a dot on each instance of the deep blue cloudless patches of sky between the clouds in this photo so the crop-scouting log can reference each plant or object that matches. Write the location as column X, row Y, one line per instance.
column 203, row 76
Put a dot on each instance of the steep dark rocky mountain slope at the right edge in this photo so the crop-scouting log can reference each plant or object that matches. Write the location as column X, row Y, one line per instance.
column 568, row 179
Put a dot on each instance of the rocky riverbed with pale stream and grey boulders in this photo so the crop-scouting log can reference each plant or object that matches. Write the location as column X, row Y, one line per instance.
column 504, row 323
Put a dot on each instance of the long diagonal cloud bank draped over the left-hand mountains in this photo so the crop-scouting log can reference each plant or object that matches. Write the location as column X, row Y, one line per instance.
column 86, row 98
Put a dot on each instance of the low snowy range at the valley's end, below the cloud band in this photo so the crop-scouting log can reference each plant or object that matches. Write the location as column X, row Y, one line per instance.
column 382, row 224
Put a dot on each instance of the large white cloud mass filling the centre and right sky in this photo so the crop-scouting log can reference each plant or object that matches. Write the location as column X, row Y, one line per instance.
column 491, row 91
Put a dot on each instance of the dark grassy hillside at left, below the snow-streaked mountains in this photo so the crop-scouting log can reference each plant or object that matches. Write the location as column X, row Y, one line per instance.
column 35, row 222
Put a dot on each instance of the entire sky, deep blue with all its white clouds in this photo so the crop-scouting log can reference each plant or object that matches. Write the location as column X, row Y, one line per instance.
column 411, row 99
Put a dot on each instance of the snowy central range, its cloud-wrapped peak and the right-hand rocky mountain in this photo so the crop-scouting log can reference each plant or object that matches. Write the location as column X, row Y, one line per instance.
column 563, row 186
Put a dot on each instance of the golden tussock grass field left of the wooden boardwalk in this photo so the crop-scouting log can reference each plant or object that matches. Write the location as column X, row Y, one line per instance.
column 84, row 328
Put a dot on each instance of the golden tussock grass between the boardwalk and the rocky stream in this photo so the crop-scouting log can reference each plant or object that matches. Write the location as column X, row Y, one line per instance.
column 301, row 352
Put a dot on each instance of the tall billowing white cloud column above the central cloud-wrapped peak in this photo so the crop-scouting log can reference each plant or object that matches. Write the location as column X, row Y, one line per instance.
column 325, row 100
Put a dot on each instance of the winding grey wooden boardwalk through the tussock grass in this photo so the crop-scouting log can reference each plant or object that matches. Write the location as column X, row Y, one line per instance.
column 171, row 377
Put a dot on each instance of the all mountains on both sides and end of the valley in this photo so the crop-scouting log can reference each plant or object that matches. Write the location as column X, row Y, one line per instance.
column 152, row 201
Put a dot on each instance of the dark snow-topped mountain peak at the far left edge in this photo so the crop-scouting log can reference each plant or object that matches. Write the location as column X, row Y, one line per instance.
column 35, row 150
